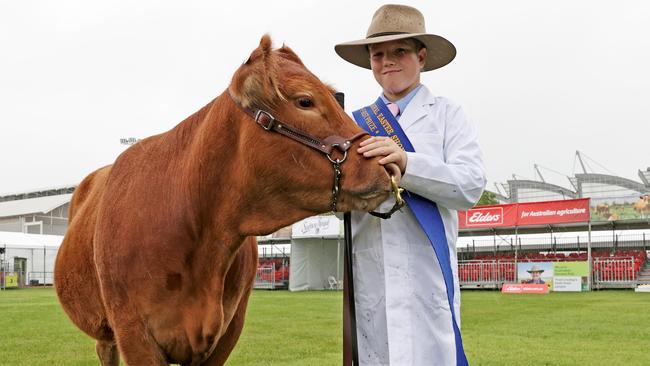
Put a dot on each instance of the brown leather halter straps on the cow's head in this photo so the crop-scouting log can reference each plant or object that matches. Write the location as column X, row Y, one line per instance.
column 325, row 146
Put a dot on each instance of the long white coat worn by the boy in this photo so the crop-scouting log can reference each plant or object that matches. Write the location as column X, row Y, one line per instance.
column 403, row 316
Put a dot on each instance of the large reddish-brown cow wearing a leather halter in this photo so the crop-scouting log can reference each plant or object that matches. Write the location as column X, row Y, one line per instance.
column 159, row 258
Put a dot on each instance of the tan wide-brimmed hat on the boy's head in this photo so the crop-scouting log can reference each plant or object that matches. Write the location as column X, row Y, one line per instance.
column 393, row 22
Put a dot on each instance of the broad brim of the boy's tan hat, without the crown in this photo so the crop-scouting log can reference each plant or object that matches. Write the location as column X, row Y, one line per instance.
column 440, row 51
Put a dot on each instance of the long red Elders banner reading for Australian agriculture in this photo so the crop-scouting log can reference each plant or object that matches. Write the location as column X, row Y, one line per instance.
column 522, row 214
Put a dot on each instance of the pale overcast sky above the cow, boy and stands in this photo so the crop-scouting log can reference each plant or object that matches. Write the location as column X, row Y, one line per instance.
column 540, row 79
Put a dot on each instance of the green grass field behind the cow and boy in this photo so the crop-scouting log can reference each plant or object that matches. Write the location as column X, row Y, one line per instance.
column 283, row 328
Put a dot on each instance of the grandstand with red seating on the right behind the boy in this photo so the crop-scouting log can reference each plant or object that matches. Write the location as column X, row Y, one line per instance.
column 489, row 256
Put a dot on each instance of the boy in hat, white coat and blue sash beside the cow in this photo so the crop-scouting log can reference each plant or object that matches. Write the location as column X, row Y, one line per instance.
column 402, row 265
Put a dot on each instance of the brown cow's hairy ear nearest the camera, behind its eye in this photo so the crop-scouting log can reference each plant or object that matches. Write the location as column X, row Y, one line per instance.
column 255, row 84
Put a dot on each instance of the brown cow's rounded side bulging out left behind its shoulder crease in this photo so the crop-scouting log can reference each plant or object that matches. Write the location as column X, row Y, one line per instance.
column 75, row 277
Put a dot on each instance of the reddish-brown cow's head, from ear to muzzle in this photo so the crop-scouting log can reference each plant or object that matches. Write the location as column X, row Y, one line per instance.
column 298, row 177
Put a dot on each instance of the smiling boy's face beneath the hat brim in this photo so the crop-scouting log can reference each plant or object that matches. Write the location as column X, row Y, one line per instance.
column 396, row 66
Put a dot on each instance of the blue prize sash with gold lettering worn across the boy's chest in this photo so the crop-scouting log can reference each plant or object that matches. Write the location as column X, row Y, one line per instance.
column 377, row 120
